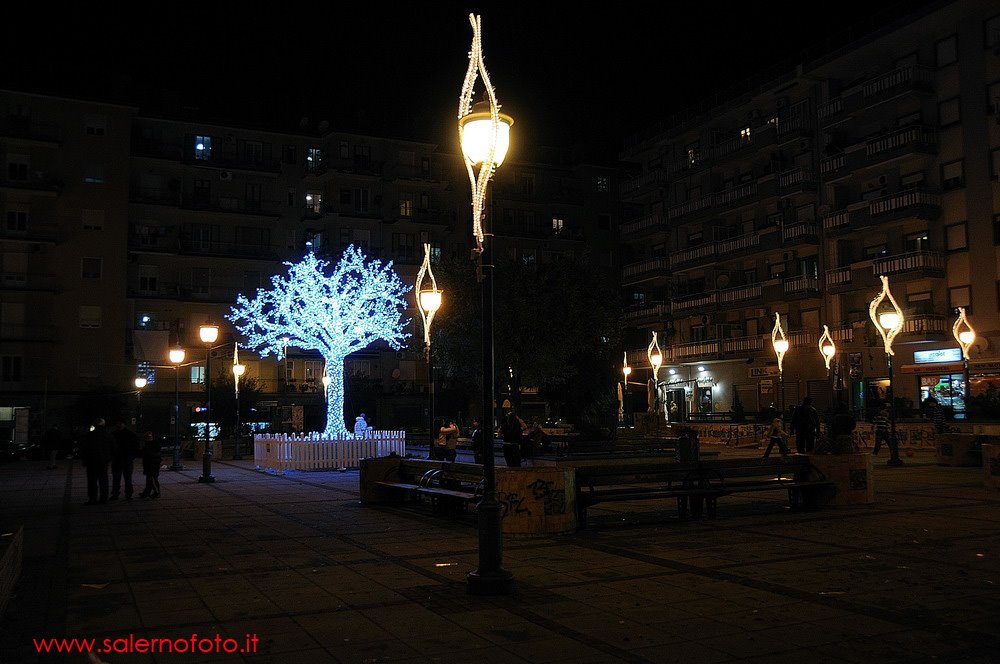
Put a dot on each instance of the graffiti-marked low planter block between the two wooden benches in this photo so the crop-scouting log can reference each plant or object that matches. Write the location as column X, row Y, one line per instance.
column 537, row 500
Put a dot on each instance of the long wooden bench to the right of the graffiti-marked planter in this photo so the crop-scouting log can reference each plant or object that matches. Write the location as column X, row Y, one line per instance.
column 697, row 485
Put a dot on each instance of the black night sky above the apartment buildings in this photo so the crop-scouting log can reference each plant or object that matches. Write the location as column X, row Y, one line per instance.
column 569, row 76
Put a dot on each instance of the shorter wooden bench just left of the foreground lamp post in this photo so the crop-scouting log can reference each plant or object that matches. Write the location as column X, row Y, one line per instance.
column 457, row 483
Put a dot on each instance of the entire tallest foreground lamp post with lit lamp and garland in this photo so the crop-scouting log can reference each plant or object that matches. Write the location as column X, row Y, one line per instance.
column 484, row 134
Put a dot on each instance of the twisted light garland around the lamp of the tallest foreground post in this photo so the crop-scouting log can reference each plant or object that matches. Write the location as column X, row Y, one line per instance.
column 480, row 182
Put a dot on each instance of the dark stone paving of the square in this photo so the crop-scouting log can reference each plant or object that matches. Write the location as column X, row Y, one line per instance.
column 297, row 561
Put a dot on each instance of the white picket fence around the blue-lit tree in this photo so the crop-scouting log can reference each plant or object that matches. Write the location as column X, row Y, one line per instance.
column 281, row 452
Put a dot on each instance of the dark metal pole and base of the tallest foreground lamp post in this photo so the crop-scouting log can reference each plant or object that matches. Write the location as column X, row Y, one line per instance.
column 490, row 578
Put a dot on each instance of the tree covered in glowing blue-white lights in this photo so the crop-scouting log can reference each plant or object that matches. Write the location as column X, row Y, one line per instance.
column 359, row 303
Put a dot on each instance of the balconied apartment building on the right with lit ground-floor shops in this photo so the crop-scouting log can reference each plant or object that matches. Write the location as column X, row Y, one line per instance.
column 793, row 197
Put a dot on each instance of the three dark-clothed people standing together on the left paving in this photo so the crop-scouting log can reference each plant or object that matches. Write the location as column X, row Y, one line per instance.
column 118, row 448
